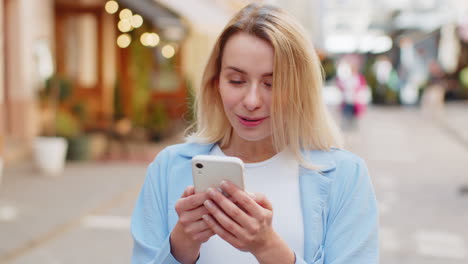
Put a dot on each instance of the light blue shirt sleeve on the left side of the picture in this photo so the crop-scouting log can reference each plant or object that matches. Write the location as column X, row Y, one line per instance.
column 149, row 225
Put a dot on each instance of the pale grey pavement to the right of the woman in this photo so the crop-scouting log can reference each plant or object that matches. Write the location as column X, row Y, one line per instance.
column 418, row 166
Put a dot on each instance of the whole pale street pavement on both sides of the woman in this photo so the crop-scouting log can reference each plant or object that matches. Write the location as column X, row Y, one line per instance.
column 416, row 165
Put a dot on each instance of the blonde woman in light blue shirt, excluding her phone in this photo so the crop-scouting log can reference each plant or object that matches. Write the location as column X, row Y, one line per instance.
column 260, row 100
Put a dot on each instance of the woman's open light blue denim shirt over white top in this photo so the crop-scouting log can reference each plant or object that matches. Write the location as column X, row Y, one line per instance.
column 338, row 205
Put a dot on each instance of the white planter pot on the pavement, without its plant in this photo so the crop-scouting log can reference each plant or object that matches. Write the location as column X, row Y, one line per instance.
column 49, row 155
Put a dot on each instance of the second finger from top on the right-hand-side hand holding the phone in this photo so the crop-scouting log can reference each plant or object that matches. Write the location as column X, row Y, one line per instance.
column 229, row 208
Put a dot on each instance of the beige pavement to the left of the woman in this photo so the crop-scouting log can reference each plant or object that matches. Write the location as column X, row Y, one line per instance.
column 82, row 216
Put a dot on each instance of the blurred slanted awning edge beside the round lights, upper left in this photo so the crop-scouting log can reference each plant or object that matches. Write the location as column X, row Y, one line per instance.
column 170, row 23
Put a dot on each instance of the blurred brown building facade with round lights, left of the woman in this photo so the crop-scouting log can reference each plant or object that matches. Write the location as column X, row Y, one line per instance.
column 81, row 47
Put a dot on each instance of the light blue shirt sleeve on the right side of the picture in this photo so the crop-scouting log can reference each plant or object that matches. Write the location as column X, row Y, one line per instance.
column 351, row 235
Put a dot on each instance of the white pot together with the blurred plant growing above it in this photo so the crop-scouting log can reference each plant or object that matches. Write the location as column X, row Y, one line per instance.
column 50, row 148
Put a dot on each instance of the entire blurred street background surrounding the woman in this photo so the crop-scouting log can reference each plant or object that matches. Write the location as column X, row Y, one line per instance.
column 92, row 90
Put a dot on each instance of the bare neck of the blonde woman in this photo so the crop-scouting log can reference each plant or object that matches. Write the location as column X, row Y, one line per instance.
column 250, row 151
